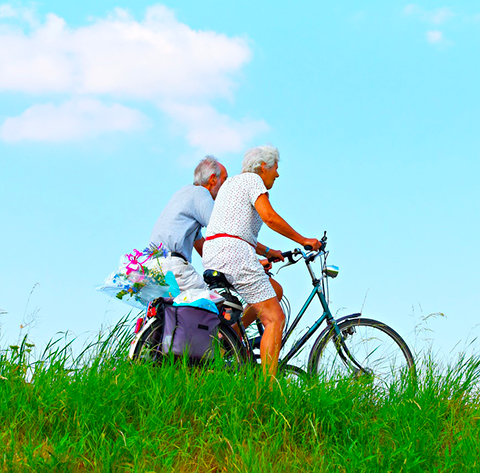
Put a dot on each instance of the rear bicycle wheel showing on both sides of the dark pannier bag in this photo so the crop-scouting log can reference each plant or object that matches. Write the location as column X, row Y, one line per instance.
column 149, row 347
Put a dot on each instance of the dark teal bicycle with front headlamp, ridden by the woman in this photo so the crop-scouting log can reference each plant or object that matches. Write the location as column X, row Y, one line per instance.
column 348, row 346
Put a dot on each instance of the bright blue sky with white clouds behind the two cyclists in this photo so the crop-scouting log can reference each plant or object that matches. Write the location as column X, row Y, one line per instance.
column 105, row 108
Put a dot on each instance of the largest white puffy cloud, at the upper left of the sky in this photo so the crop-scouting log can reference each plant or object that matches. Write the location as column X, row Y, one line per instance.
column 158, row 57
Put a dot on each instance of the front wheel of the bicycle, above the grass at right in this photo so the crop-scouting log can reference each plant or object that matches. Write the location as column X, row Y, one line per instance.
column 380, row 350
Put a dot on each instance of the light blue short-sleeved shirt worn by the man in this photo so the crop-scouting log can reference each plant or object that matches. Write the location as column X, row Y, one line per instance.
column 181, row 221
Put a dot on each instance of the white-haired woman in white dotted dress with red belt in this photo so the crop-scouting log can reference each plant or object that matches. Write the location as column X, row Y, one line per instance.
column 231, row 245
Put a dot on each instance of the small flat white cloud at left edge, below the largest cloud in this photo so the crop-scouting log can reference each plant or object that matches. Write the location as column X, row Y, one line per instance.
column 72, row 120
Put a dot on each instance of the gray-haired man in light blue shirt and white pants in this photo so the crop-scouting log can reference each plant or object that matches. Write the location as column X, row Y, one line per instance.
column 179, row 226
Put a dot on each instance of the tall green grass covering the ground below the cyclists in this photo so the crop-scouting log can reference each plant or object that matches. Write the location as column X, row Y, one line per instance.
column 98, row 412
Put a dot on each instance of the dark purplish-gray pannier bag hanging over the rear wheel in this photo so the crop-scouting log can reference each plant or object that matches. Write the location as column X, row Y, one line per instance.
column 188, row 329
